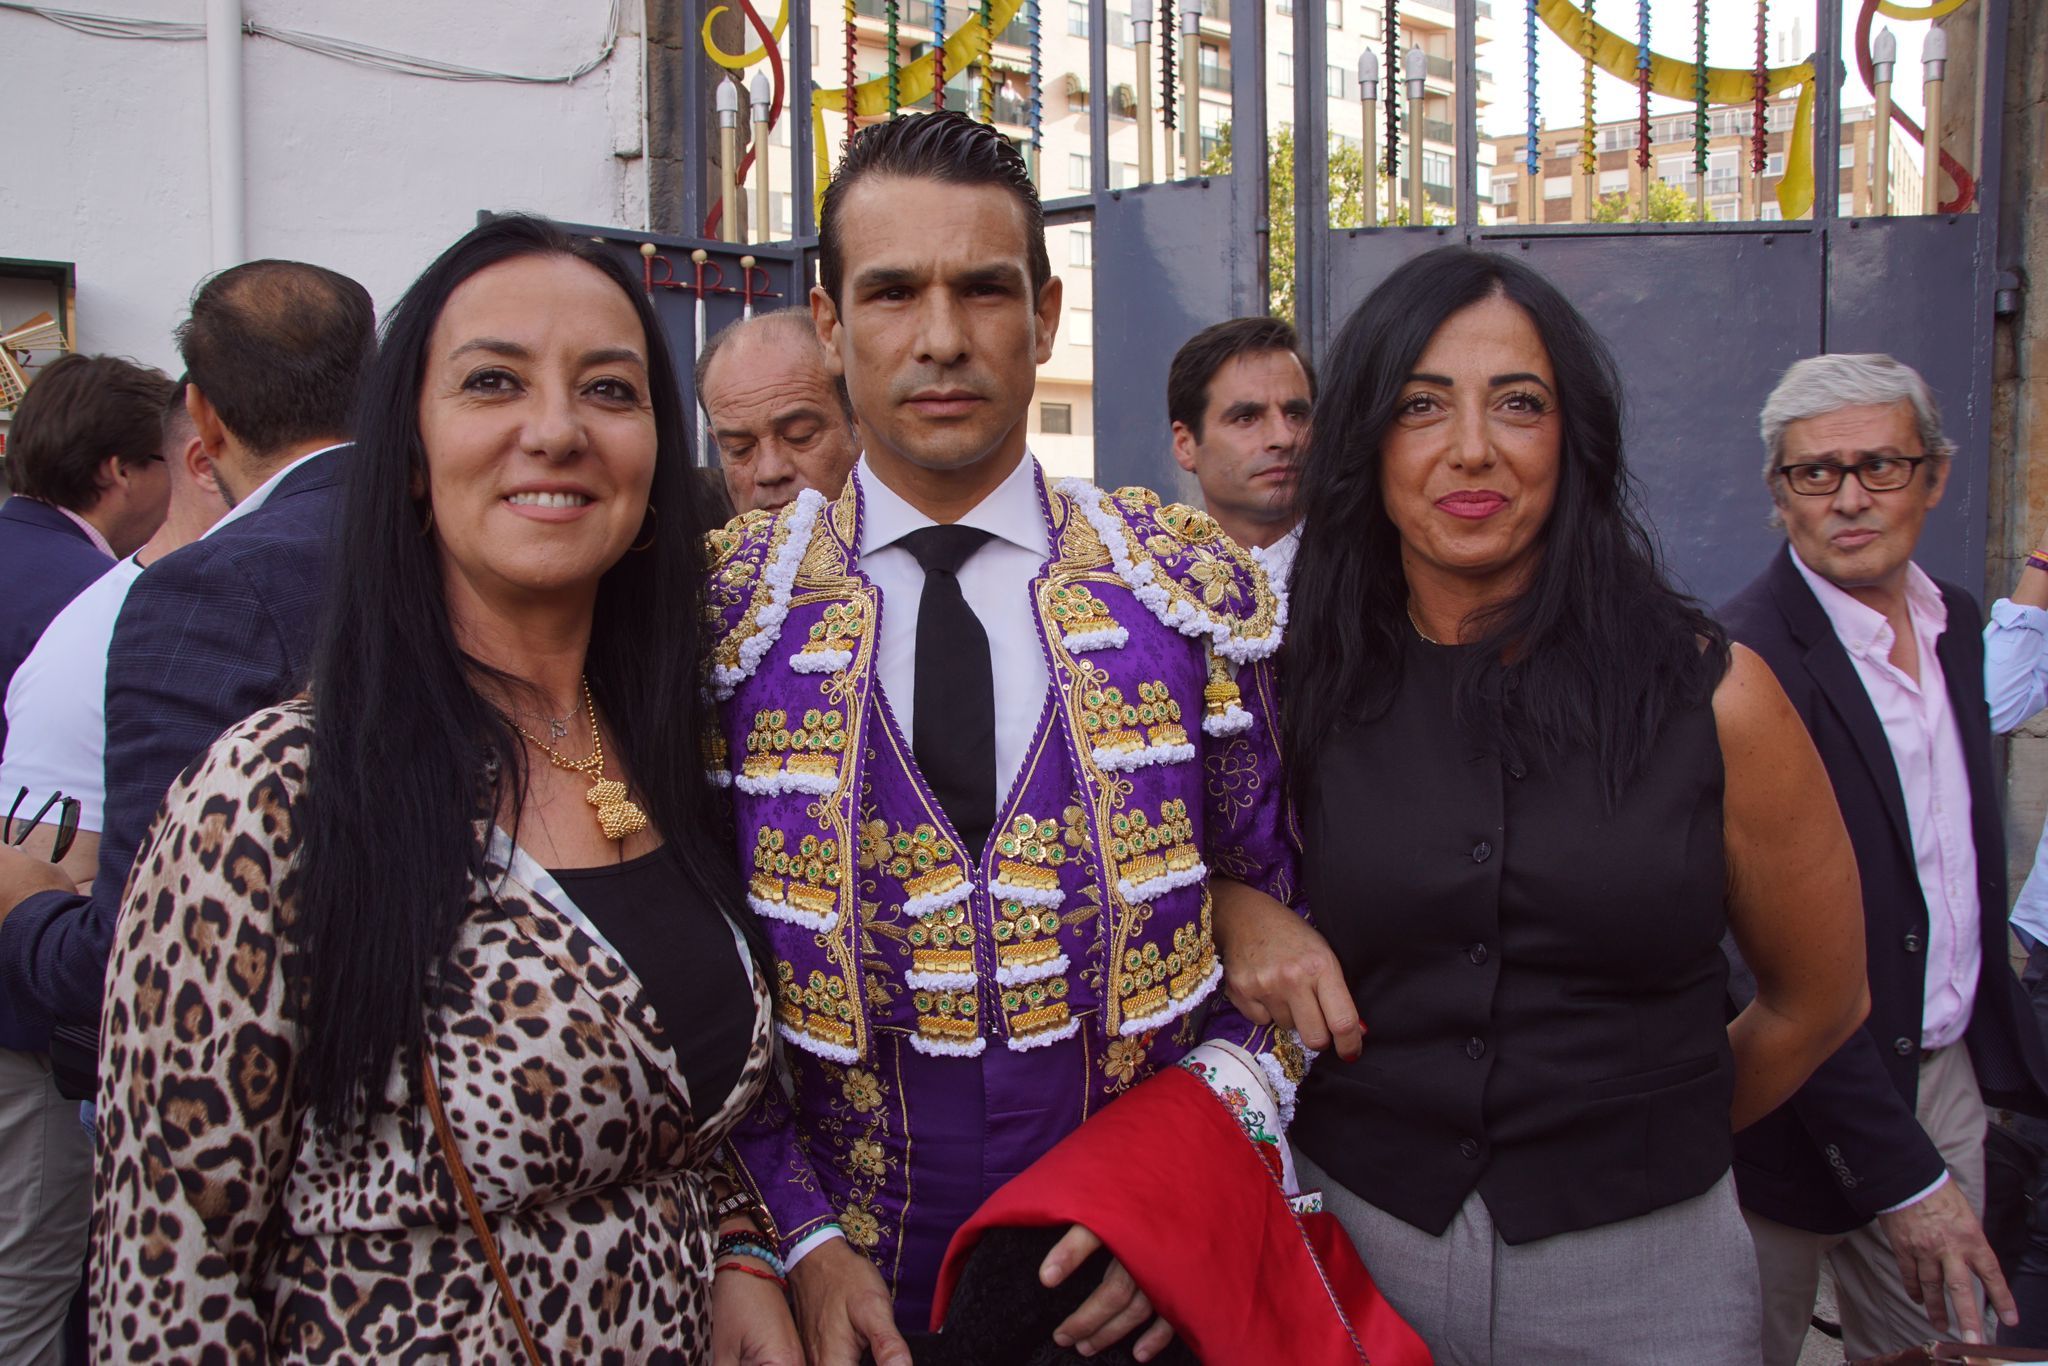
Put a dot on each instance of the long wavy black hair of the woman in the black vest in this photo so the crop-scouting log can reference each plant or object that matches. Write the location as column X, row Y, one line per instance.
column 1596, row 650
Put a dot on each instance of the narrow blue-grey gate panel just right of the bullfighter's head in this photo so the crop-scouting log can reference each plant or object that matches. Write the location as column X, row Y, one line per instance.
column 1166, row 261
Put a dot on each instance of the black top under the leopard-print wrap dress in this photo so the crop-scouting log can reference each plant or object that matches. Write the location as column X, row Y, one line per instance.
column 687, row 959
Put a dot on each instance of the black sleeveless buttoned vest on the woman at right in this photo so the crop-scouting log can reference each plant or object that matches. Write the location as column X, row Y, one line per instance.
column 1539, row 972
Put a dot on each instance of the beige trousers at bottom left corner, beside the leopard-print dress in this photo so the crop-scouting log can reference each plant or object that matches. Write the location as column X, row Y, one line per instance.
column 46, row 1205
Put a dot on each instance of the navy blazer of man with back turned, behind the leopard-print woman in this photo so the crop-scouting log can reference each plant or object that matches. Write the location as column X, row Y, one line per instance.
column 208, row 636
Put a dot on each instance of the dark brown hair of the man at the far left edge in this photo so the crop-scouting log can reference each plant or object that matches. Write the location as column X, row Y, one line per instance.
column 77, row 415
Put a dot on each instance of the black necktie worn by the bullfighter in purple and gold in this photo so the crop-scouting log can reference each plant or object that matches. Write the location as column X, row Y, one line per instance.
column 953, row 701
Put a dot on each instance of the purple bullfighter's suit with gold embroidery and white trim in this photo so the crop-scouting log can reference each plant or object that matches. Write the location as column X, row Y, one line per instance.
column 951, row 1021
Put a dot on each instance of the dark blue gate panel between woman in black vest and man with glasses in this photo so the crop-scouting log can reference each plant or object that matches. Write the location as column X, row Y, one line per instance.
column 1703, row 327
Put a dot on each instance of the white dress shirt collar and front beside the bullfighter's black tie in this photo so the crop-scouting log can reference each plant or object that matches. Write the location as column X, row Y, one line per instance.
column 996, row 585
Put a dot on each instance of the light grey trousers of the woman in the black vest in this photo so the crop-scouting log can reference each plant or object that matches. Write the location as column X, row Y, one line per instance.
column 1676, row 1287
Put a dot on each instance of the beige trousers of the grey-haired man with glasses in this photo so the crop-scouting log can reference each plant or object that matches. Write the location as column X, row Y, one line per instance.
column 1877, row 1314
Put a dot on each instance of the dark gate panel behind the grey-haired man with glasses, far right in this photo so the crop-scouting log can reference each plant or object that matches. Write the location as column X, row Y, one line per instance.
column 1910, row 288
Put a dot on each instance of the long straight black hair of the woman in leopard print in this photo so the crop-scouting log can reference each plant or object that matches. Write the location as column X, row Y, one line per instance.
column 409, row 755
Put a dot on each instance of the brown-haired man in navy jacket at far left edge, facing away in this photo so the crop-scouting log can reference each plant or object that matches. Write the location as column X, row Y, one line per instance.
column 87, row 460
